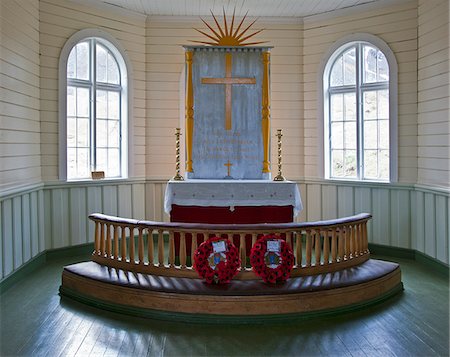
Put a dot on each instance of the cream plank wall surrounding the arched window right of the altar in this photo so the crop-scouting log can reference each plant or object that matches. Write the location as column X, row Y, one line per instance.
column 397, row 26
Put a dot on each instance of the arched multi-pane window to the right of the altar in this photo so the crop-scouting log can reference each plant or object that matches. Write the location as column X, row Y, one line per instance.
column 358, row 122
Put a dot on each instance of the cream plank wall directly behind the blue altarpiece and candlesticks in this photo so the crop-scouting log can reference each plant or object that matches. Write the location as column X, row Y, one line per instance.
column 165, row 62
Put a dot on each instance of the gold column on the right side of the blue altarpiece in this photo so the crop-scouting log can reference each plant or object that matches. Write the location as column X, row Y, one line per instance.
column 266, row 111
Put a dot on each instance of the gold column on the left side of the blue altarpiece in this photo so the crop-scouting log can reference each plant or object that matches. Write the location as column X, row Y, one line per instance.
column 189, row 110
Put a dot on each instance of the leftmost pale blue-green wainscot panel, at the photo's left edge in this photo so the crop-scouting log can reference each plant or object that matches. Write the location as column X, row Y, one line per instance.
column 7, row 235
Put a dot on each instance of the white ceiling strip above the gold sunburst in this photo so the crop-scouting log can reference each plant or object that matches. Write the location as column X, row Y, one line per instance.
column 272, row 8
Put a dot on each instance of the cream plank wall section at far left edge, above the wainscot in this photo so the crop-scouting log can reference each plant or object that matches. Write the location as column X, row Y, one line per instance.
column 20, row 161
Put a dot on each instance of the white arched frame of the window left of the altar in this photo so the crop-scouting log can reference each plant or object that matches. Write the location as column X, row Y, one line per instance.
column 119, row 54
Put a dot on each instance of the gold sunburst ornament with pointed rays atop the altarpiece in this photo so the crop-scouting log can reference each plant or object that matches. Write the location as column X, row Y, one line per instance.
column 224, row 36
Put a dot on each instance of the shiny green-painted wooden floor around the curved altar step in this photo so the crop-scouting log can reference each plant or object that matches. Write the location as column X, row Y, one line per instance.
column 35, row 322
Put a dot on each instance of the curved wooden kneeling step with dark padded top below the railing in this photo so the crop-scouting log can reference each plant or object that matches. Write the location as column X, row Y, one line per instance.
column 184, row 298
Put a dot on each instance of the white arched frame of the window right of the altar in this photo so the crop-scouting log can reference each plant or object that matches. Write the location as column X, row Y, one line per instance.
column 324, row 152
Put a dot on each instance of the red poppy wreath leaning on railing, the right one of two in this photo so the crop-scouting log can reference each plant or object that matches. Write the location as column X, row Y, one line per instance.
column 272, row 259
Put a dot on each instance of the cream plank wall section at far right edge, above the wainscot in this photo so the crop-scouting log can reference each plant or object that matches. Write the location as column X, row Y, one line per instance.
column 433, row 93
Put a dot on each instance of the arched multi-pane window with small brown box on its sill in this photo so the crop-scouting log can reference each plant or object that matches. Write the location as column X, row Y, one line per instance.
column 95, row 111
